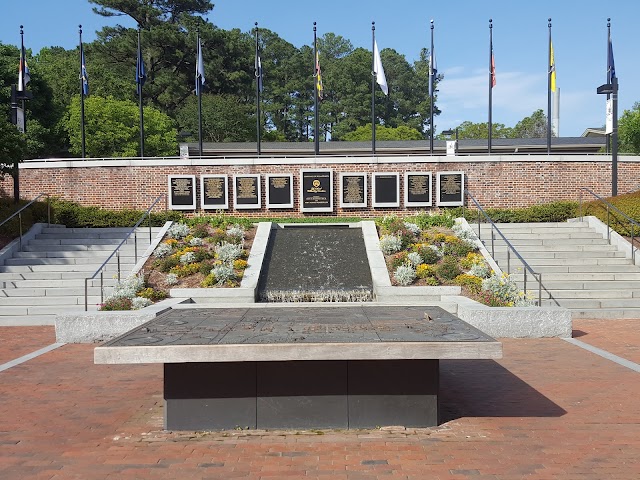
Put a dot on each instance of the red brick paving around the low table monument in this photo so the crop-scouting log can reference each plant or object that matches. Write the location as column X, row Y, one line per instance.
column 547, row 410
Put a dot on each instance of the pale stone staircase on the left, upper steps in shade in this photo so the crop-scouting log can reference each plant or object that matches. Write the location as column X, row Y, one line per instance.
column 47, row 275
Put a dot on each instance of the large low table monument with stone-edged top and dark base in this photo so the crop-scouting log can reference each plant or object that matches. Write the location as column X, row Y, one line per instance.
column 356, row 366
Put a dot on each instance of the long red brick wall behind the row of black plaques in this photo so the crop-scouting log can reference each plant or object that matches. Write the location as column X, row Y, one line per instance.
column 508, row 181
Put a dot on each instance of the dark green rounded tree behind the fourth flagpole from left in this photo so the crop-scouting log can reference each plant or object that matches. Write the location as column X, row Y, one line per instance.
column 225, row 118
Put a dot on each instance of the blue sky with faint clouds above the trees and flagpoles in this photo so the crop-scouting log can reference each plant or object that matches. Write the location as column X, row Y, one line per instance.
column 461, row 44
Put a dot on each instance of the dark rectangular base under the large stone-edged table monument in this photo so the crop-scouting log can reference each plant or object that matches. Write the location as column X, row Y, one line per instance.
column 301, row 394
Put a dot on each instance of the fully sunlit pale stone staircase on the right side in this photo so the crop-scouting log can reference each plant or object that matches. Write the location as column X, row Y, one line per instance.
column 580, row 270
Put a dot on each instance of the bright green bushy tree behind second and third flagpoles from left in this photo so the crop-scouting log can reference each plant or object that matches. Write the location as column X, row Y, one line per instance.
column 112, row 129
